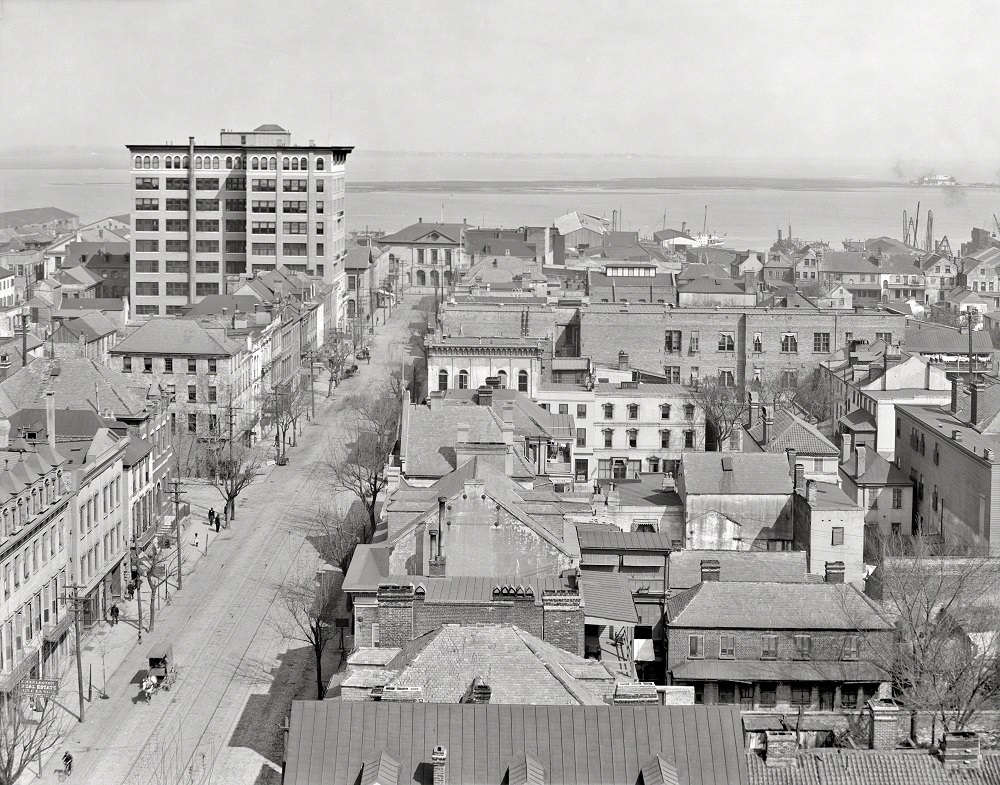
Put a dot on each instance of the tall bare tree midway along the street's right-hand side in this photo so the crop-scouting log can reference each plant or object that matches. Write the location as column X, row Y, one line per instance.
column 357, row 458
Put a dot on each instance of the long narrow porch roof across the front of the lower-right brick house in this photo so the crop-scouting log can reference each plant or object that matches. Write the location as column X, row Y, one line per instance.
column 779, row 670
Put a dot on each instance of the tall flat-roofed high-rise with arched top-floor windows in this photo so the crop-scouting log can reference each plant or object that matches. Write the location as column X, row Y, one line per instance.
column 205, row 217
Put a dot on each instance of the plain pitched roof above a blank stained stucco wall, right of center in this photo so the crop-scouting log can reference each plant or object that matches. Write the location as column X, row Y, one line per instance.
column 757, row 474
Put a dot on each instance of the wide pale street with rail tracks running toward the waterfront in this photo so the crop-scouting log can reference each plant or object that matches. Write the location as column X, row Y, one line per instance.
column 222, row 720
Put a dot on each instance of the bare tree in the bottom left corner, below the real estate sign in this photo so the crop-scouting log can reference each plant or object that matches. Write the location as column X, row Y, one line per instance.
column 26, row 734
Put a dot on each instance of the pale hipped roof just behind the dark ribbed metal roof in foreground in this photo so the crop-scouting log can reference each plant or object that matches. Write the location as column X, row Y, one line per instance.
column 518, row 667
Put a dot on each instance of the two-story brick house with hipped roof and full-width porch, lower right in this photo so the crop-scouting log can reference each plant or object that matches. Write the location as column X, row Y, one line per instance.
column 778, row 646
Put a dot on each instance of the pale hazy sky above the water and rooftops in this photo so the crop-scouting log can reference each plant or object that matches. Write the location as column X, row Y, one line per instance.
column 876, row 85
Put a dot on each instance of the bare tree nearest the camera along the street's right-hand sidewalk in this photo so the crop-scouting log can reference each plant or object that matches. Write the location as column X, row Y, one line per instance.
column 310, row 604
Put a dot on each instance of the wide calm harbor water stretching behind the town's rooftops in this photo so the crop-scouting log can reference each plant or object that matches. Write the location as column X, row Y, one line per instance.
column 392, row 191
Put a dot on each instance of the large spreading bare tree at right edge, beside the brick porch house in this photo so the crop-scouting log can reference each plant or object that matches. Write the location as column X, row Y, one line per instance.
column 945, row 660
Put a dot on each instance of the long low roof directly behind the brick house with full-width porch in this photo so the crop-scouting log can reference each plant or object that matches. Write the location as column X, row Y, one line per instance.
column 773, row 566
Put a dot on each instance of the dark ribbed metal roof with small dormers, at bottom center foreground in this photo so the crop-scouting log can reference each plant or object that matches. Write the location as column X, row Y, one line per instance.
column 606, row 745
